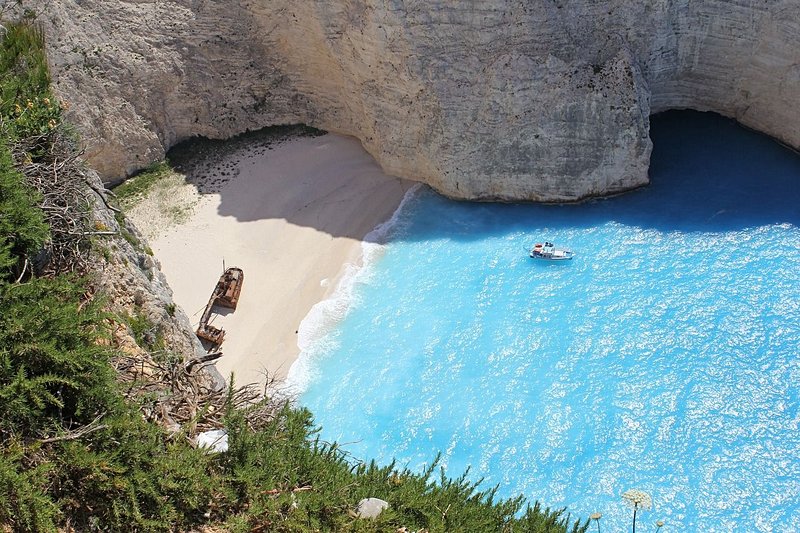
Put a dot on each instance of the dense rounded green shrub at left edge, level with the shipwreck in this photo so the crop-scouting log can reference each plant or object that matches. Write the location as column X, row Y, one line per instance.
column 53, row 371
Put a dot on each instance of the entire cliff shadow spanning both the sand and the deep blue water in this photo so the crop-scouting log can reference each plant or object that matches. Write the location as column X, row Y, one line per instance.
column 707, row 174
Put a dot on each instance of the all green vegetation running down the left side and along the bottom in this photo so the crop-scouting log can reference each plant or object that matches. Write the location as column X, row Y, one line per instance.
column 75, row 454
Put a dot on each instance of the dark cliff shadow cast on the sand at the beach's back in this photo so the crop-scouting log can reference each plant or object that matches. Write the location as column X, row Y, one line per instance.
column 294, row 173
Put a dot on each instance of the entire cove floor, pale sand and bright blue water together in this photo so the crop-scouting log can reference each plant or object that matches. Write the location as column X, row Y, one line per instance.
column 662, row 341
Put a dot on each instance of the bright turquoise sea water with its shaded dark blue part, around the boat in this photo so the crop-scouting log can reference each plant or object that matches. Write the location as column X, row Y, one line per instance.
column 664, row 357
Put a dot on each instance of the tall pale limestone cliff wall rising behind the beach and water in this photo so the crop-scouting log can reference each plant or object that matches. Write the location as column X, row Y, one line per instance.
column 496, row 99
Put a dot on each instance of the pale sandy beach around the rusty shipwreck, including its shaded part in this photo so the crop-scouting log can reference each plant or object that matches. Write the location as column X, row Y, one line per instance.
column 292, row 214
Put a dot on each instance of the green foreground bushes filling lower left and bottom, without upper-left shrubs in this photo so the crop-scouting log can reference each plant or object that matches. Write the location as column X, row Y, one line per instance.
column 125, row 473
